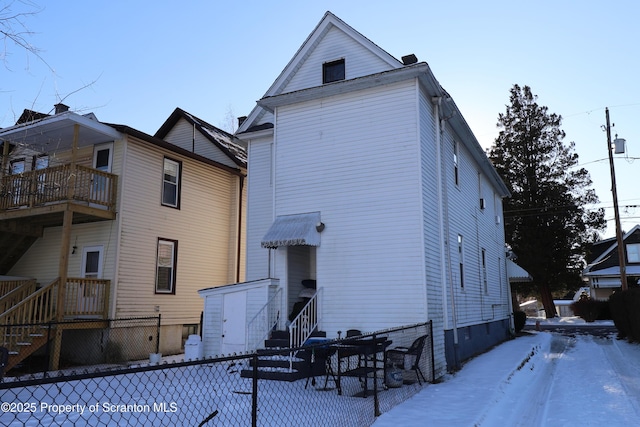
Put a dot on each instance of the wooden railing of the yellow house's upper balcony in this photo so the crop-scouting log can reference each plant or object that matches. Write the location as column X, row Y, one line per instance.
column 45, row 186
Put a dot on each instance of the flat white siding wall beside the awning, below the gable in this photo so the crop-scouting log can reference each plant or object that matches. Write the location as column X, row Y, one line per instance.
column 363, row 180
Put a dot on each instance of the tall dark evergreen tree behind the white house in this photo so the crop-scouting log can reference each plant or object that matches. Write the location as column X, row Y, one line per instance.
column 546, row 222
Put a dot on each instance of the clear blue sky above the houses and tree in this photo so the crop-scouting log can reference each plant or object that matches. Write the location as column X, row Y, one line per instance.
column 215, row 59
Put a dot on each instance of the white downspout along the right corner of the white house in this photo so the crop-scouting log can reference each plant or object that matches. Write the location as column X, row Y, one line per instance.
column 444, row 271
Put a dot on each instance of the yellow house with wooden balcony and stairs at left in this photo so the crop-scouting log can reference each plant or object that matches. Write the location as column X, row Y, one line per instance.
column 134, row 224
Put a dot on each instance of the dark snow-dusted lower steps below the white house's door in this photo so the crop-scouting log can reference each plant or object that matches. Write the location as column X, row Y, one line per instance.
column 275, row 362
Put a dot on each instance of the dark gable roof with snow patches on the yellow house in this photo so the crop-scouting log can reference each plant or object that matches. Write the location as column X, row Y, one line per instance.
column 231, row 146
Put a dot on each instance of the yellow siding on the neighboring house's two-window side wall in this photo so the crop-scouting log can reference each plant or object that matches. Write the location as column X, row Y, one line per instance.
column 144, row 220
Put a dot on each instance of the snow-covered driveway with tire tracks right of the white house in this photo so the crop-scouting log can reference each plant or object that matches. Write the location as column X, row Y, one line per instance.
column 542, row 379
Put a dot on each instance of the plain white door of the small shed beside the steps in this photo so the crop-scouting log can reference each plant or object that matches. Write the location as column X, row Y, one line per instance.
column 234, row 315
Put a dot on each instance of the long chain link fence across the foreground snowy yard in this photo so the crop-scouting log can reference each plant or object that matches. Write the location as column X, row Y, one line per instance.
column 325, row 389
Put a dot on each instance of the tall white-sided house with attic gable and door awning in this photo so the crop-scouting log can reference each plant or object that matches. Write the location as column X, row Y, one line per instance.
column 364, row 177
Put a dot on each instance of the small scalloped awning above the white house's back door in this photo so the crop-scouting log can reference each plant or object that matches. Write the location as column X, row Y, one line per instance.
column 293, row 230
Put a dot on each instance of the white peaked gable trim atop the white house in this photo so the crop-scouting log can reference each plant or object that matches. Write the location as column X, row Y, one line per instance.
column 328, row 21
